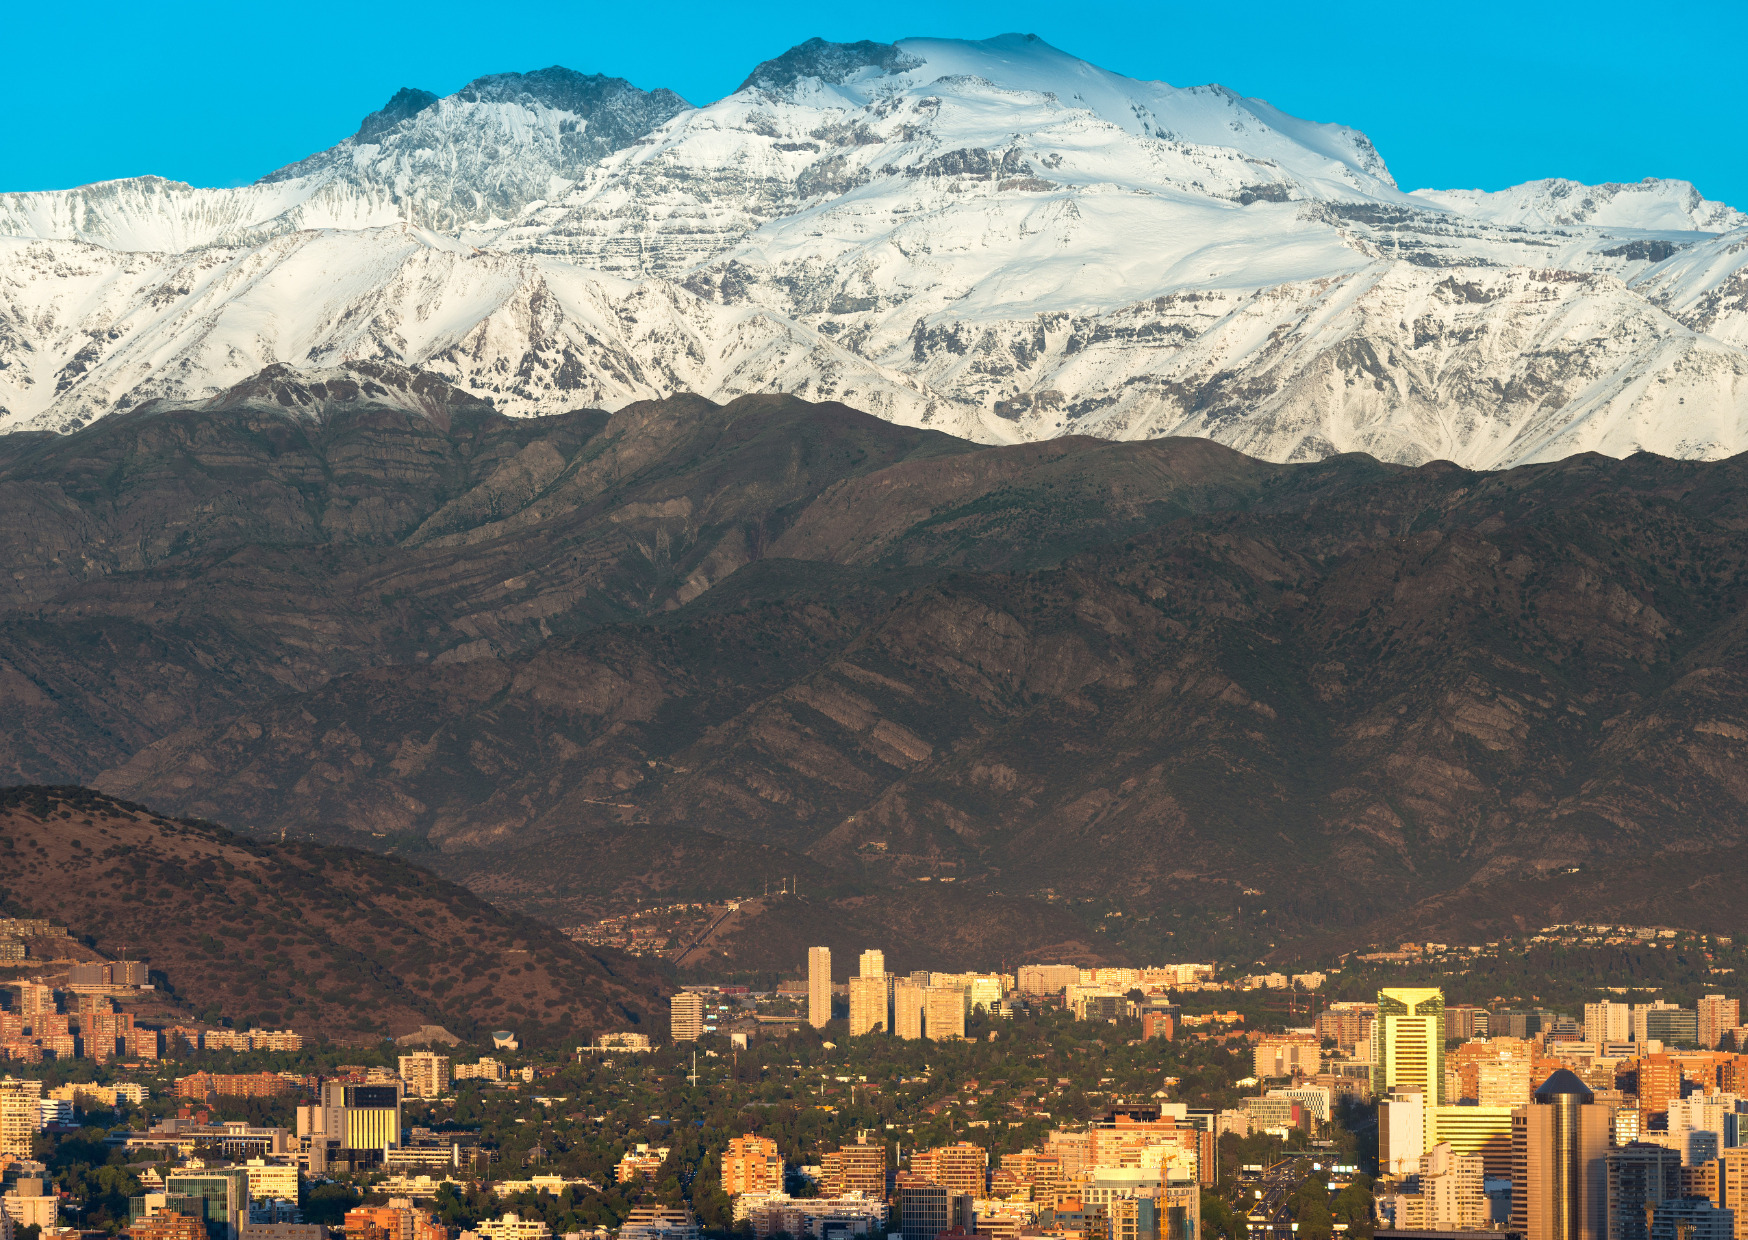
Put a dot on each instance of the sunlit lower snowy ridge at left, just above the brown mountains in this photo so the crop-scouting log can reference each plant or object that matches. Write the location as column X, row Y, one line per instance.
column 532, row 333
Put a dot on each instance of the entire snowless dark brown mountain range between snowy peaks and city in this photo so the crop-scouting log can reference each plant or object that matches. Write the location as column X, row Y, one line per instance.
column 684, row 648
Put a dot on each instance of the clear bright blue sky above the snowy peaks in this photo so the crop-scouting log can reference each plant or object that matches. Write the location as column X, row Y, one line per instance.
column 1460, row 95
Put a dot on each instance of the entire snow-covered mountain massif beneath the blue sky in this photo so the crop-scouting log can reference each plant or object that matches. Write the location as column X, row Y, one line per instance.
column 994, row 239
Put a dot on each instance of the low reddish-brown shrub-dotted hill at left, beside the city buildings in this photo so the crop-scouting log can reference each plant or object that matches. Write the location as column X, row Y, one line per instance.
column 302, row 935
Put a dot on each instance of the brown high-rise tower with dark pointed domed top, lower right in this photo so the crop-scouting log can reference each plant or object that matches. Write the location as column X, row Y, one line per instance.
column 1560, row 1155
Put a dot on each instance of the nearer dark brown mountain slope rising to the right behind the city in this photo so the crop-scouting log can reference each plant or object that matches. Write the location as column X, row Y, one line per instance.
column 1420, row 685
